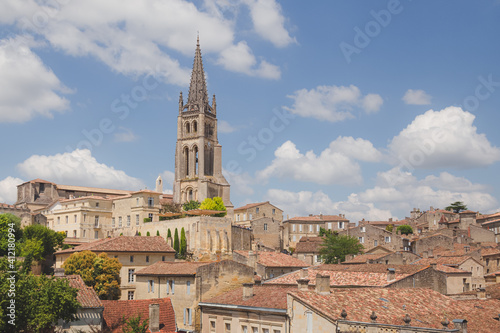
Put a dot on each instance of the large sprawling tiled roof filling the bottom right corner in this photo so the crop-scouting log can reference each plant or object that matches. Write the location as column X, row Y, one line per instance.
column 425, row 307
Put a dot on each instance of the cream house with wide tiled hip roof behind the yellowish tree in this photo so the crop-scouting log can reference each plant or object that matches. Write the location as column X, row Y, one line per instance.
column 134, row 253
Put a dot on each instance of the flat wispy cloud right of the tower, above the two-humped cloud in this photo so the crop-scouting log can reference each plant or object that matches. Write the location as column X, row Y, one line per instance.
column 332, row 103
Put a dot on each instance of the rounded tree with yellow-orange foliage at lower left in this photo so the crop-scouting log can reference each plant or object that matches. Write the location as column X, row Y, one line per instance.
column 97, row 271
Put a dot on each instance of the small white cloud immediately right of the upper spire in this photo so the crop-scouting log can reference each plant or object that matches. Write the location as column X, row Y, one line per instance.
column 240, row 59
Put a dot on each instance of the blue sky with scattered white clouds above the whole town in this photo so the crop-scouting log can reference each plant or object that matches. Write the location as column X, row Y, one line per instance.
column 365, row 108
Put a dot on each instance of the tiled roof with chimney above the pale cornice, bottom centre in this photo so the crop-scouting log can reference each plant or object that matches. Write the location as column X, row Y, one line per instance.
column 264, row 296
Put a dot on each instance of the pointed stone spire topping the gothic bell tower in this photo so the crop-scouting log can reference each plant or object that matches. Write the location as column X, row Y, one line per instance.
column 198, row 88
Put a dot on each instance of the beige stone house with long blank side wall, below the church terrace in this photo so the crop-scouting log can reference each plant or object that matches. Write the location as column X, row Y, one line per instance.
column 188, row 283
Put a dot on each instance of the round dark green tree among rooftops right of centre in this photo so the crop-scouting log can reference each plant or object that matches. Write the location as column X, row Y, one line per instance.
column 335, row 248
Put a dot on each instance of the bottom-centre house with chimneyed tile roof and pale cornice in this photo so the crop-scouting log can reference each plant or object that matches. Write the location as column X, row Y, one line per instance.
column 252, row 308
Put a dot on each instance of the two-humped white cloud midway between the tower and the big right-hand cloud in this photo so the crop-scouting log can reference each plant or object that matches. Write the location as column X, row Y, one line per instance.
column 334, row 165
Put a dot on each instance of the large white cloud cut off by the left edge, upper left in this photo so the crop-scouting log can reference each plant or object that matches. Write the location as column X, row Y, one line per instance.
column 29, row 88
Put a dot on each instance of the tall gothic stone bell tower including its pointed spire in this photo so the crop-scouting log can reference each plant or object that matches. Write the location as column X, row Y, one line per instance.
column 198, row 170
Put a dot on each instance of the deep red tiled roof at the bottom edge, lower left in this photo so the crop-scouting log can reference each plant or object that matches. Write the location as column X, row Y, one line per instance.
column 115, row 311
